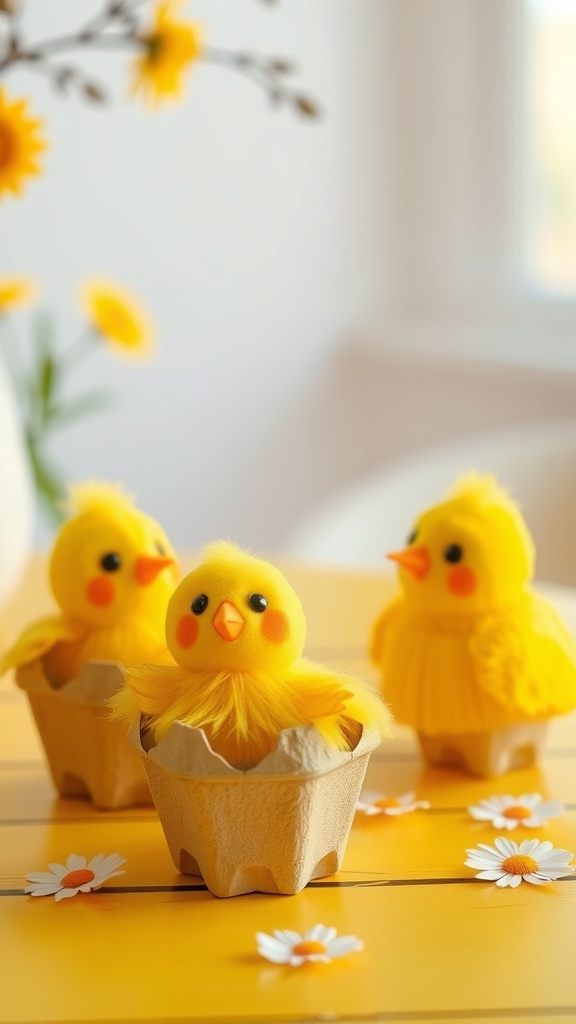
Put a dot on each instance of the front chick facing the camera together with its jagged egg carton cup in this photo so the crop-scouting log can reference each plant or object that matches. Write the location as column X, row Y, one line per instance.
column 256, row 756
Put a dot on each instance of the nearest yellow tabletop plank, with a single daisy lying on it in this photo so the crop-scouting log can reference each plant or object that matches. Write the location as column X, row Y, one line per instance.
column 446, row 950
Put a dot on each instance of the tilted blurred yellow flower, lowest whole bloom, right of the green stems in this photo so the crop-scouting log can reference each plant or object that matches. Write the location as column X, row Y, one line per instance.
column 118, row 317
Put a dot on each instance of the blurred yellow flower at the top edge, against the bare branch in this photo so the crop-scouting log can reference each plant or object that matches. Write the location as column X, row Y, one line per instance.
column 168, row 51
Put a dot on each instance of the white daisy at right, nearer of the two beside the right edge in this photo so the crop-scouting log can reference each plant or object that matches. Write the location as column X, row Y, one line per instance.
column 507, row 864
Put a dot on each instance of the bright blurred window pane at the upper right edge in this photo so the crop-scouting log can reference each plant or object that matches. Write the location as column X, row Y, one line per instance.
column 550, row 147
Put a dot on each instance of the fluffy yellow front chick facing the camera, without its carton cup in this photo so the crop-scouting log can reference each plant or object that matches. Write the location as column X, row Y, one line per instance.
column 237, row 631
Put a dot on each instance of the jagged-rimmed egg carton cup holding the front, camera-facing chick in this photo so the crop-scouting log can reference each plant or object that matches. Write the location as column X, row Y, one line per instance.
column 272, row 829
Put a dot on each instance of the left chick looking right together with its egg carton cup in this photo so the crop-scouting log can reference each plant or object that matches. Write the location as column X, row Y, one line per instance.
column 112, row 573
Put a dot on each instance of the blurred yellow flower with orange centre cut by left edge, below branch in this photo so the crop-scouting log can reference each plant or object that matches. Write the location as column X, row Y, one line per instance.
column 20, row 145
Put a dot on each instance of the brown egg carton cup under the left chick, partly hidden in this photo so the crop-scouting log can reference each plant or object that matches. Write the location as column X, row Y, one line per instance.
column 89, row 755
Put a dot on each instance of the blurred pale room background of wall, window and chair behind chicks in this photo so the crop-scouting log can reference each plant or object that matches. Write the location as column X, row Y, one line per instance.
column 350, row 310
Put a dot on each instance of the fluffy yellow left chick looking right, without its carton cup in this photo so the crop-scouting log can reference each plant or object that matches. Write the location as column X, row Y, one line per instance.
column 112, row 572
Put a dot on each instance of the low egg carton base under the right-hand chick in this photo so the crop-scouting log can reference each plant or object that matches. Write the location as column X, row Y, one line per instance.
column 487, row 754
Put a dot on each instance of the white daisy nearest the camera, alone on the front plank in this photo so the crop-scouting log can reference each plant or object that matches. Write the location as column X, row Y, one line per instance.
column 319, row 944
